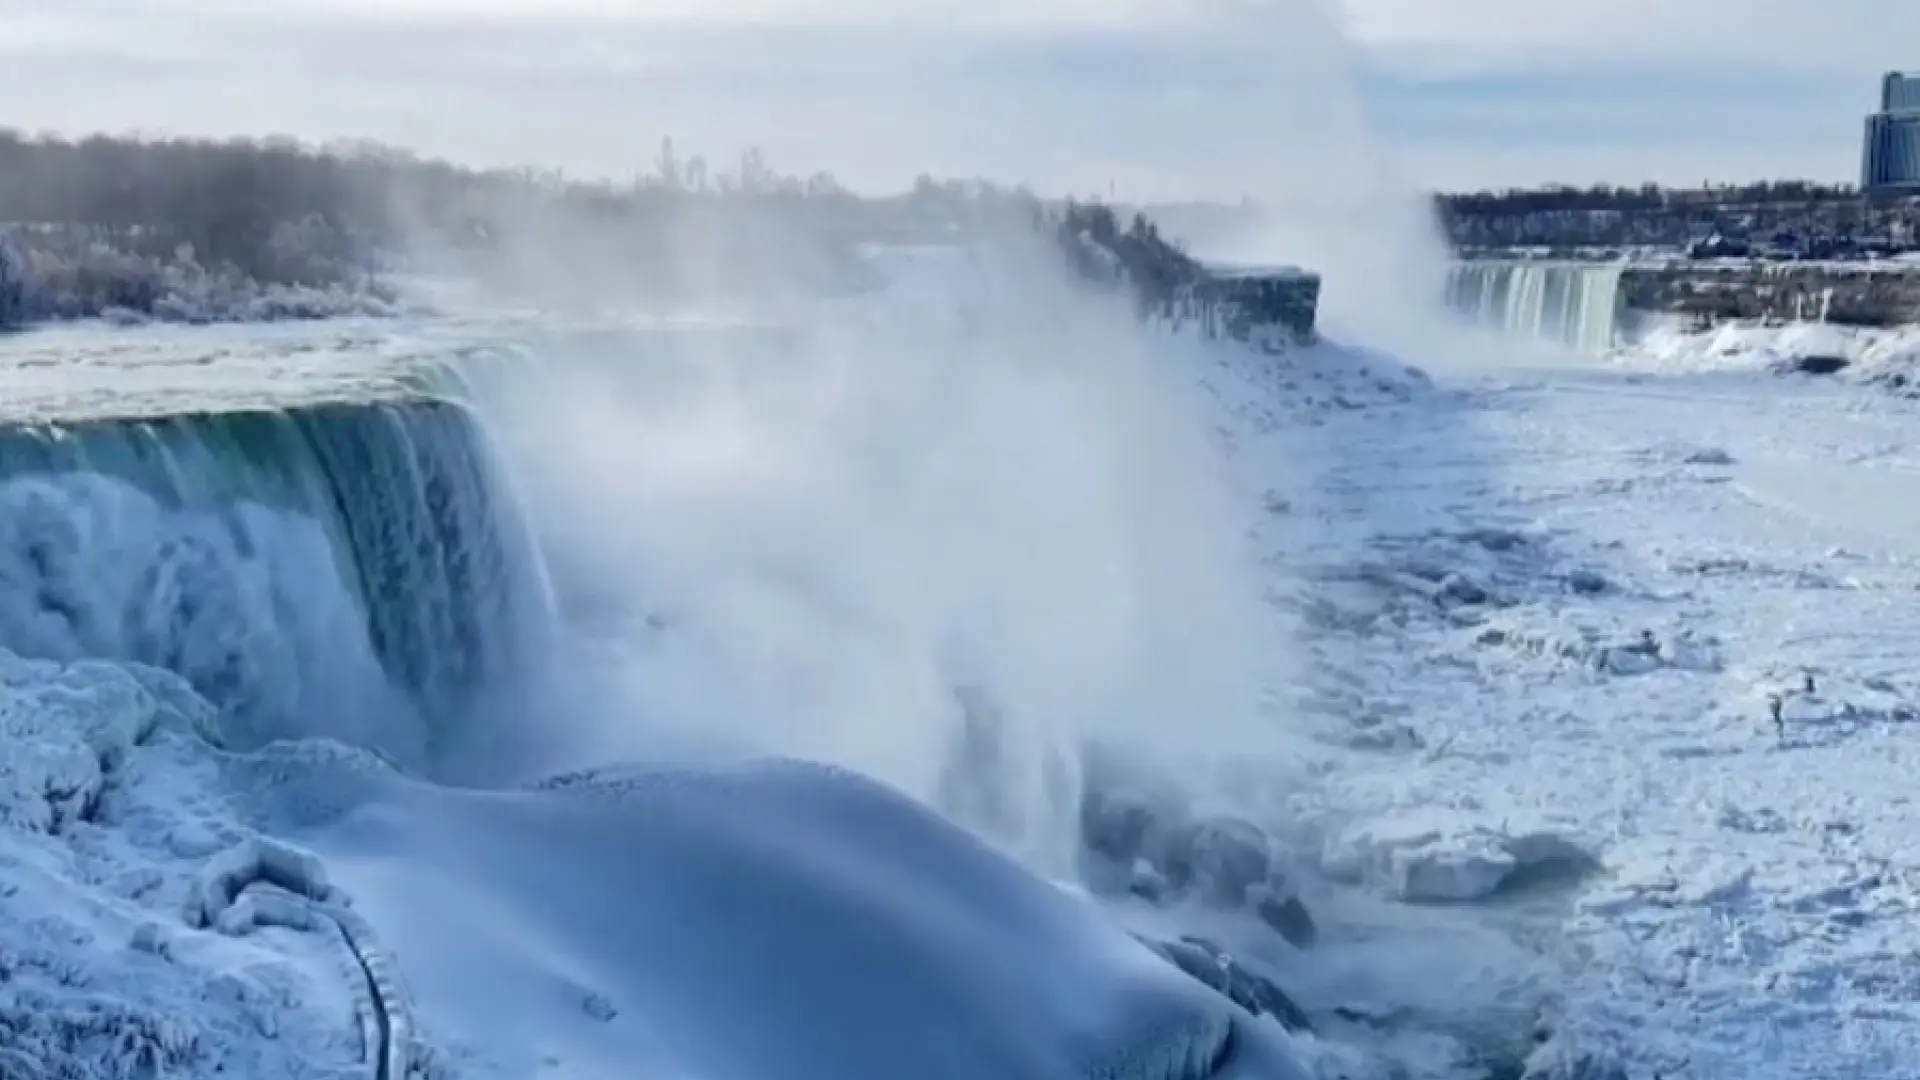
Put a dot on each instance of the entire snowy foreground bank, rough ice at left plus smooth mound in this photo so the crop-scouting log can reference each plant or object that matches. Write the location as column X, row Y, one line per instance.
column 193, row 912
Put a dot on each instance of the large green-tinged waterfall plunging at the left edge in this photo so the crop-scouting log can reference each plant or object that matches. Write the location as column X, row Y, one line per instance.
column 331, row 570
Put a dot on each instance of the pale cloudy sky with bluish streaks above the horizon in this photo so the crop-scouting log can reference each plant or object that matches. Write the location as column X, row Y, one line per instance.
column 1140, row 99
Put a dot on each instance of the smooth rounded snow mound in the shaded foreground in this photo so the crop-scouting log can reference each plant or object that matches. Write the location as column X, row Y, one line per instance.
column 635, row 918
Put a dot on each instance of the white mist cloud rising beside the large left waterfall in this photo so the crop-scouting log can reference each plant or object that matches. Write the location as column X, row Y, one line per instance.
column 976, row 529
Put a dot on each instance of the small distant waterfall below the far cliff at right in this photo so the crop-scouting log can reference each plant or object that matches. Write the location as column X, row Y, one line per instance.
column 1573, row 305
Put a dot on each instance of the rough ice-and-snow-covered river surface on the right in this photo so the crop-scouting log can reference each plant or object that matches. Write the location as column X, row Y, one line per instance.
column 1554, row 612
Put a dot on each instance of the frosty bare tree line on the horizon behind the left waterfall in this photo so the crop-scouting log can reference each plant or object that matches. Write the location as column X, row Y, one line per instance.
column 110, row 224
